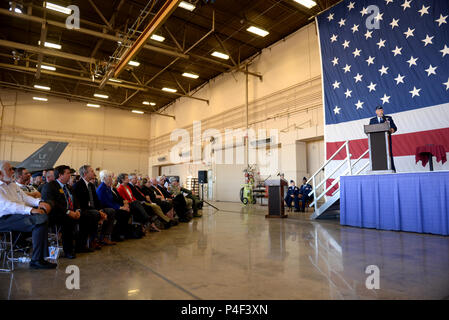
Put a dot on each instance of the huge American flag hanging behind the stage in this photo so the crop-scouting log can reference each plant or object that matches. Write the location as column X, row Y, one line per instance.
column 401, row 64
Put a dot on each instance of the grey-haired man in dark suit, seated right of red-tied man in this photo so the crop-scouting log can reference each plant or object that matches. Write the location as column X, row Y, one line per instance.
column 91, row 206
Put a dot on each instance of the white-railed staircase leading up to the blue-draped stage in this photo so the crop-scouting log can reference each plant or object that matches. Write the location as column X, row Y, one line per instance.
column 327, row 206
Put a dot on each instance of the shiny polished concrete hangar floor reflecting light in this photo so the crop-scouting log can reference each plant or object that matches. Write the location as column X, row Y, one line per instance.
column 236, row 253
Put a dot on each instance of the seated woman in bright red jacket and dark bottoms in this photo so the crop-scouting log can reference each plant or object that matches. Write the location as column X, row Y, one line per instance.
column 141, row 214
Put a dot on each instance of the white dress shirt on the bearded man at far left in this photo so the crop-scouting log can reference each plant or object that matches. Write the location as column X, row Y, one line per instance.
column 14, row 201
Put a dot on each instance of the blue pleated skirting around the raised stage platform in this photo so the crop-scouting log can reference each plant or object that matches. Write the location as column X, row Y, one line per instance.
column 414, row 202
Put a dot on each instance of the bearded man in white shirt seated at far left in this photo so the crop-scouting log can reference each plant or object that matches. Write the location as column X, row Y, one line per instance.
column 22, row 213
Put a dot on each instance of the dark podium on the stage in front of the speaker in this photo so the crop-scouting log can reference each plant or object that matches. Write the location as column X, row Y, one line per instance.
column 379, row 147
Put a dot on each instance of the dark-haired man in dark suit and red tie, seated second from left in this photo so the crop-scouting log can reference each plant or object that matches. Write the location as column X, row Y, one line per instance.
column 66, row 210
